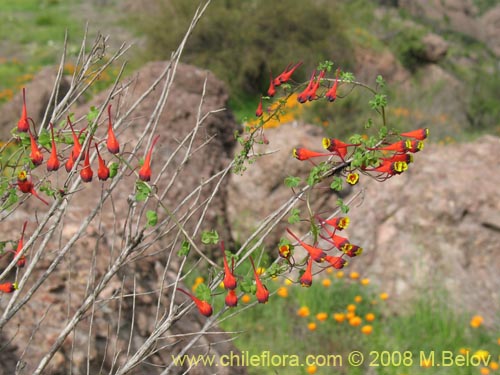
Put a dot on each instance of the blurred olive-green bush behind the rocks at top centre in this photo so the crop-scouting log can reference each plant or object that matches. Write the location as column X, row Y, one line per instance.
column 241, row 42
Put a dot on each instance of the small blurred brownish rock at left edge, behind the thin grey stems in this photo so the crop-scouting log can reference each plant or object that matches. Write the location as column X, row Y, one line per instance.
column 38, row 93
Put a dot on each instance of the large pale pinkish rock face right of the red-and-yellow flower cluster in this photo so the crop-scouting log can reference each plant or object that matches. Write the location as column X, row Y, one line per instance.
column 432, row 228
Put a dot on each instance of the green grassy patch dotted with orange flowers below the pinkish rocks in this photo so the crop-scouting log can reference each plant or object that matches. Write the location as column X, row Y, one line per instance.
column 316, row 321
